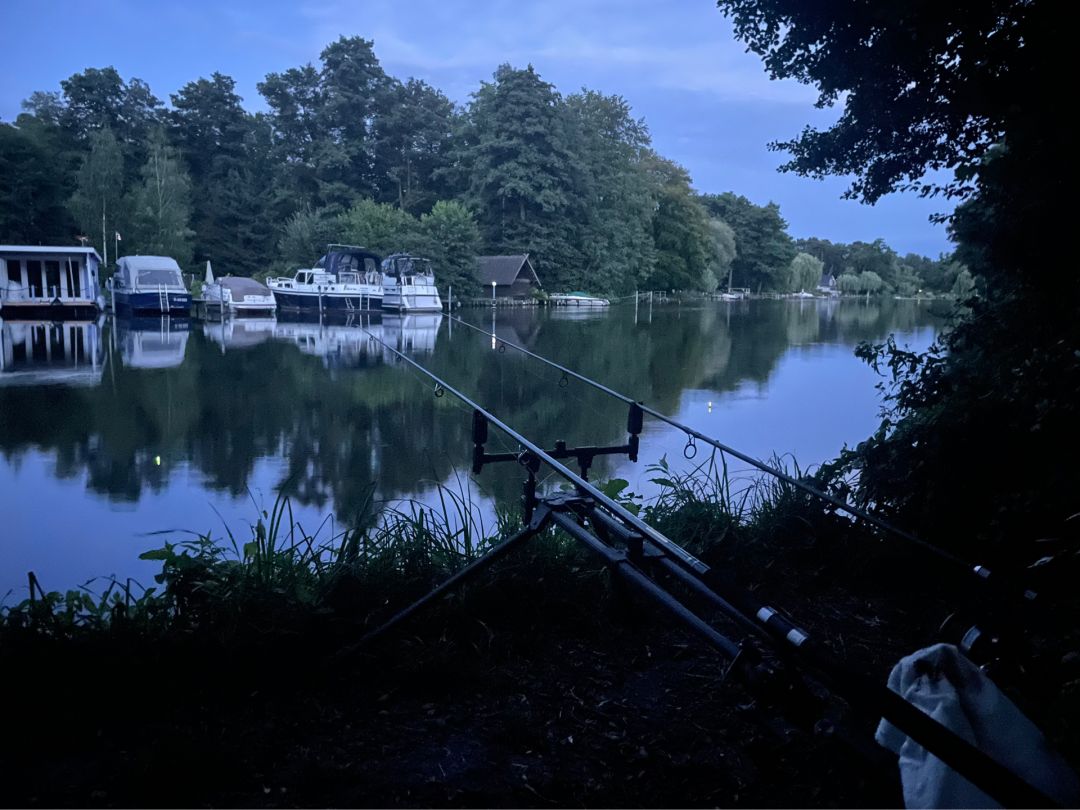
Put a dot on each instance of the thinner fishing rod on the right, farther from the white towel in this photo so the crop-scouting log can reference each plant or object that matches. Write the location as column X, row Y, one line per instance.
column 981, row 572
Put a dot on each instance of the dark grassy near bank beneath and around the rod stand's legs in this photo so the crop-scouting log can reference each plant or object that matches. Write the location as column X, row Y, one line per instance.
column 542, row 683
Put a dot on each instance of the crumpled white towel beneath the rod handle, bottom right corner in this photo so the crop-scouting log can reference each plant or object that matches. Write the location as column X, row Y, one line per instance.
column 954, row 692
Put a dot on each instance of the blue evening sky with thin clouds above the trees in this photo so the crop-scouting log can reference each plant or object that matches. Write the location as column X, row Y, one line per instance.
column 709, row 104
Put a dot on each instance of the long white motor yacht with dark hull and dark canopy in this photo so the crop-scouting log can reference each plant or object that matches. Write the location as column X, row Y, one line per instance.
column 345, row 280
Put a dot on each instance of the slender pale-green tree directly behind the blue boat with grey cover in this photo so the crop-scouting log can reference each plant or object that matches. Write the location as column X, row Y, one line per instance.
column 161, row 205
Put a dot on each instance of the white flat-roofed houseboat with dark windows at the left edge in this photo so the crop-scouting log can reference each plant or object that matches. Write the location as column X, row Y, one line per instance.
column 57, row 283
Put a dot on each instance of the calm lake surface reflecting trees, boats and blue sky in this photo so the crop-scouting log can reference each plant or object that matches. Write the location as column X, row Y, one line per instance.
column 111, row 433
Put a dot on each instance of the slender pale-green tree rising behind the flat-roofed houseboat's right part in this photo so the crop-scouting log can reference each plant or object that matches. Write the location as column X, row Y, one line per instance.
column 99, row 201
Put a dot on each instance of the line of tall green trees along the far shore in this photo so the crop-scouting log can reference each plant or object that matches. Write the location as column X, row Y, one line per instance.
column 348, row 154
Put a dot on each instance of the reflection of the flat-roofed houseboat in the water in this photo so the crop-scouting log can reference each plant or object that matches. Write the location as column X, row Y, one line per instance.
column 47, row 353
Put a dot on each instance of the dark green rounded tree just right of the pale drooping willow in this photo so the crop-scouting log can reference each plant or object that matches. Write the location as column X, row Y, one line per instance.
column 764, row 250
